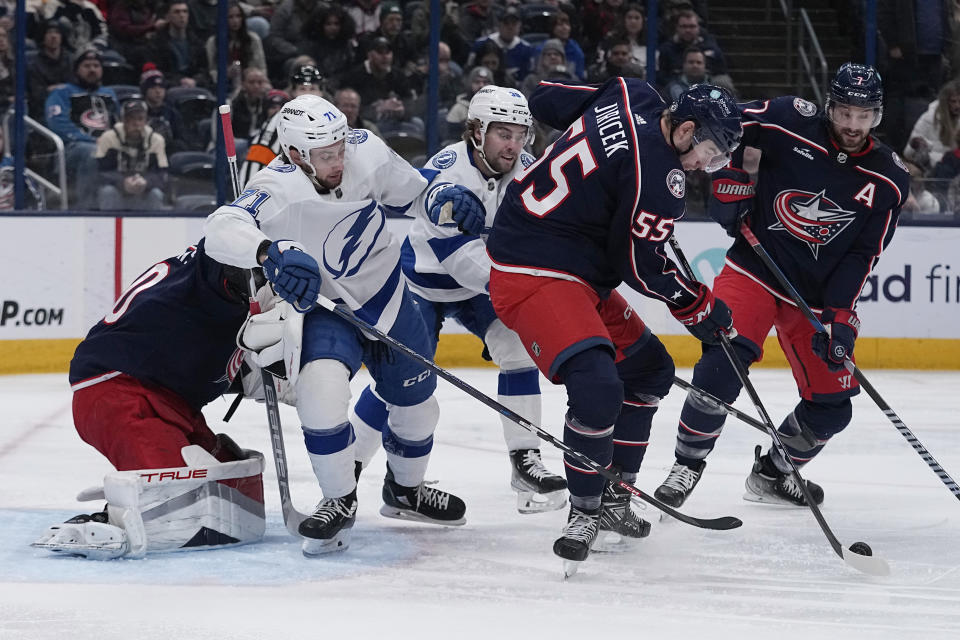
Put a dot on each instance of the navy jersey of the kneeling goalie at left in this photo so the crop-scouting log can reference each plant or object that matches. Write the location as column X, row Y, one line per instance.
column 175, row 326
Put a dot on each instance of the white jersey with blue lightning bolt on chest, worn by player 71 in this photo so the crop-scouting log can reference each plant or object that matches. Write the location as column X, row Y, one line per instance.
column 344, row 229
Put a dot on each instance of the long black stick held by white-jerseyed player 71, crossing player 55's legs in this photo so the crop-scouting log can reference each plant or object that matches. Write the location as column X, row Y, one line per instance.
column 722, row 523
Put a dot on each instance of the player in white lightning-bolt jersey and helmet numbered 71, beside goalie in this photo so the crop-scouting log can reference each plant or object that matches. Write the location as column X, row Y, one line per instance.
column 326, row 191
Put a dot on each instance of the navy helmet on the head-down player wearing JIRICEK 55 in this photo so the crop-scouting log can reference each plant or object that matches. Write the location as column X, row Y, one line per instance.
column 714, row 111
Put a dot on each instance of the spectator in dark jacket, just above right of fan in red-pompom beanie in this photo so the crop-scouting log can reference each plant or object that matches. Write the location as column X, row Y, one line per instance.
column 178, row 52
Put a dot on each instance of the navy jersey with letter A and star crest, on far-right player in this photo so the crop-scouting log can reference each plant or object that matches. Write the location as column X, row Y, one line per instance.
column 822, row 214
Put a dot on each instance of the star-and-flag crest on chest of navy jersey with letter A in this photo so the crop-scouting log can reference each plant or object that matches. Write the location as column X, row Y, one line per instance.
column 810, row 217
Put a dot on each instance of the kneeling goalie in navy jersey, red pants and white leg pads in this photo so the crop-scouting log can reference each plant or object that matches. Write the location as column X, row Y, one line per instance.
column 139, row 380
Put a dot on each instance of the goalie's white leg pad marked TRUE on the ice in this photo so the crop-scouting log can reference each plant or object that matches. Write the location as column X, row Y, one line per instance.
column 202, row 505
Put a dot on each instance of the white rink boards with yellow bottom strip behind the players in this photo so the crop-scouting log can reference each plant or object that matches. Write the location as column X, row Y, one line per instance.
column 68, row 271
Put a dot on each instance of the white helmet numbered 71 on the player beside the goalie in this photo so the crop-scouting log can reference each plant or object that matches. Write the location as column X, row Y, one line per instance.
column 308, row 122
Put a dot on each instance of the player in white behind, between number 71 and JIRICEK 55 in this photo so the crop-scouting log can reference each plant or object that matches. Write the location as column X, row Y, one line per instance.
column 448, row 274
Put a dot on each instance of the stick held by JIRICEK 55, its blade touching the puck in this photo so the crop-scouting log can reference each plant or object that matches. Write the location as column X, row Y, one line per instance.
column 866, row 563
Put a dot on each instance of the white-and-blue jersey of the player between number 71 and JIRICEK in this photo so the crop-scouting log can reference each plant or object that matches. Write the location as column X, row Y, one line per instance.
column 440, row 263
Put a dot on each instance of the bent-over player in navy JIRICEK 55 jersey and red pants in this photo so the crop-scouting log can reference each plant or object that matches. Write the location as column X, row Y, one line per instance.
column 593, row 211
